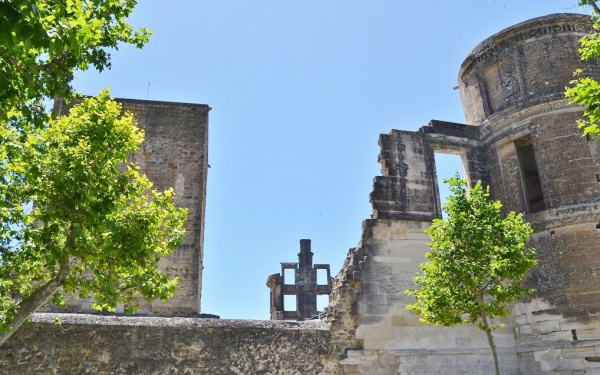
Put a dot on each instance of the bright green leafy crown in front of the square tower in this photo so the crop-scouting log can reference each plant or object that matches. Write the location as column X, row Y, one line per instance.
column 92, row 210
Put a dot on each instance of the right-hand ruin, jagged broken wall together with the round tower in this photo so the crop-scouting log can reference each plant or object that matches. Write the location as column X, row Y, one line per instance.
column 523, row 142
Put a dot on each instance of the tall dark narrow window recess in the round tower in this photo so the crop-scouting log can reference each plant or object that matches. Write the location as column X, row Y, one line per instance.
column 534, row 197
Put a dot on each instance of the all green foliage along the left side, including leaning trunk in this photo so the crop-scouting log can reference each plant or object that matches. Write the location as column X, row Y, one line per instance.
column 76, row 216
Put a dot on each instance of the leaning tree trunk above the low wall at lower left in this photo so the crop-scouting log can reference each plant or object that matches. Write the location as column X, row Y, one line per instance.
column 34, row 301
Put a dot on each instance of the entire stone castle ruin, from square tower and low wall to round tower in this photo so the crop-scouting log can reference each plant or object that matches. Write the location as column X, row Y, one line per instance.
column 520, row 138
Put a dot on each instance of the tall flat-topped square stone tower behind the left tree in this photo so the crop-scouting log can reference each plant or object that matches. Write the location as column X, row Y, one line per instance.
column 174, row 155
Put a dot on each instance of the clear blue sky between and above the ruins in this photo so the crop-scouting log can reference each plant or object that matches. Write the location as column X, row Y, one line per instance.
column 300, row 91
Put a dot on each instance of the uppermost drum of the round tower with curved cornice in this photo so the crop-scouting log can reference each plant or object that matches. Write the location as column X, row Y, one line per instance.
column 522, row 71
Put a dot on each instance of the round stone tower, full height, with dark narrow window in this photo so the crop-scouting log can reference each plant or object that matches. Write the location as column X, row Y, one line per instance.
column 512, row 87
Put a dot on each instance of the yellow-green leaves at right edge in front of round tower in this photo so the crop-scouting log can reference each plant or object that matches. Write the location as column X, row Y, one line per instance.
column 586, row 90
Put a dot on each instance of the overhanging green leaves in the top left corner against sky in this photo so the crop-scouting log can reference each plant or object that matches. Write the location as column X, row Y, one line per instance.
column 43, row 42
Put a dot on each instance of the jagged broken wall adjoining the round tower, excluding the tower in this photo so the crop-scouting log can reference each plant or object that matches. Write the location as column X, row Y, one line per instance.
column 371, row 329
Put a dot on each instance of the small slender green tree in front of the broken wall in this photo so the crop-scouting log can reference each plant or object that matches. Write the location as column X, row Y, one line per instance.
column 477, row 261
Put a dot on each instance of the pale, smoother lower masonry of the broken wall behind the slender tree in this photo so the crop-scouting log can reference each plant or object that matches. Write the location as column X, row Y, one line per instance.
column 393, row 340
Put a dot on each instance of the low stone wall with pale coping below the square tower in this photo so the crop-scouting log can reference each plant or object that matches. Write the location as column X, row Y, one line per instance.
column 92, row 344
